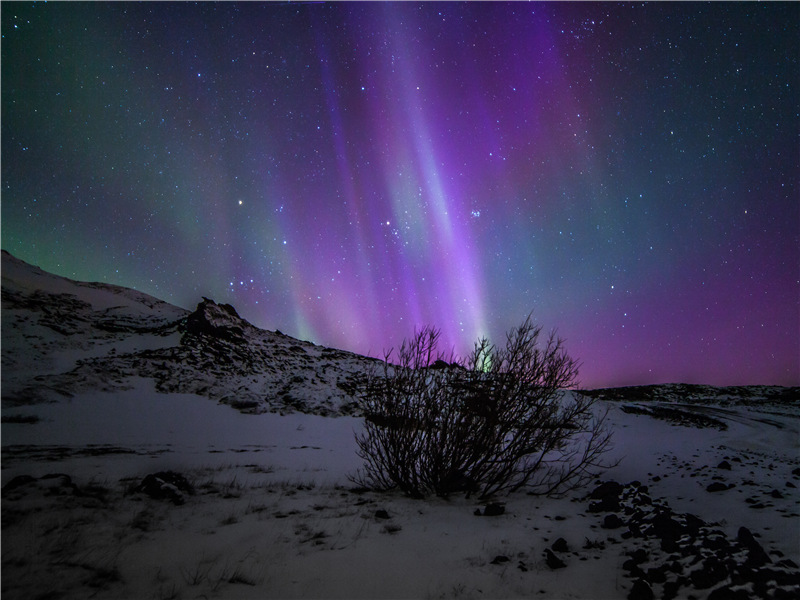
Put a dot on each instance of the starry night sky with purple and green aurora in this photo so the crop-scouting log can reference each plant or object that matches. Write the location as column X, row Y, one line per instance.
column 346, row 172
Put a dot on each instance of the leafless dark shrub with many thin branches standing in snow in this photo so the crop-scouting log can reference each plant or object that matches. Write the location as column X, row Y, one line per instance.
column 497, row 421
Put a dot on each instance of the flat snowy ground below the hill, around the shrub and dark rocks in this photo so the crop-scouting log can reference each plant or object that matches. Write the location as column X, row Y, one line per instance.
column 273, row 514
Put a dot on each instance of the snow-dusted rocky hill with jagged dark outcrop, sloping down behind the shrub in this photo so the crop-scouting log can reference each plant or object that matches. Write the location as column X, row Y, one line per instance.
column 62, row 336
